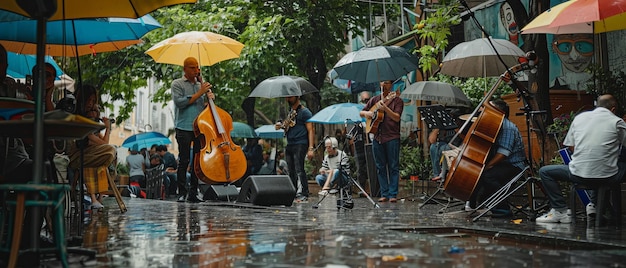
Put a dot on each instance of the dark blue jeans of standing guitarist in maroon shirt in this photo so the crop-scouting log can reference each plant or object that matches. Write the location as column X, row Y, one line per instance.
column 387, row 157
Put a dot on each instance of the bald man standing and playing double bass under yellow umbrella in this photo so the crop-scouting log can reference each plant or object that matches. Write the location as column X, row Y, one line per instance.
column 189, row 95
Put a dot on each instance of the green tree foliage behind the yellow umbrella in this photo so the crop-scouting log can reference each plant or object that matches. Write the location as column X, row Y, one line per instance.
column 295, row 37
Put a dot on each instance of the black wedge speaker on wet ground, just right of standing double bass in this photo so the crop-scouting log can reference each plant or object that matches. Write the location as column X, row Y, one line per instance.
column 267, row 190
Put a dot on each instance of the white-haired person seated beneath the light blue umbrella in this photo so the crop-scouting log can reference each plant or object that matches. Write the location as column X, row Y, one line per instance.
column 334, row 160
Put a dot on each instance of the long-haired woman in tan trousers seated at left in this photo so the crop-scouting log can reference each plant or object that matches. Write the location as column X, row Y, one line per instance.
column 97, row 152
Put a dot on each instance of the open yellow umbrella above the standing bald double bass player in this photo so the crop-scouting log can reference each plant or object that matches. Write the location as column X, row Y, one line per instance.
column 207, row 47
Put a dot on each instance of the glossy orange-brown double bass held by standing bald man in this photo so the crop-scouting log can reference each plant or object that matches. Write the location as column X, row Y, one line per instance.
column 219, row 160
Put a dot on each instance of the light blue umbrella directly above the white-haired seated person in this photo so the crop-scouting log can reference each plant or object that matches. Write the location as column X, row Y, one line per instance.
column 338, row 114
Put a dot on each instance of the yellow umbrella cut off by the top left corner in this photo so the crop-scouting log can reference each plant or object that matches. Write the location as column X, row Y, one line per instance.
column 81, row 9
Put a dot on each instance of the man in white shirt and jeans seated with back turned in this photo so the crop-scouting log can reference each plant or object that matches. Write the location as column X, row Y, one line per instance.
column 594, row 137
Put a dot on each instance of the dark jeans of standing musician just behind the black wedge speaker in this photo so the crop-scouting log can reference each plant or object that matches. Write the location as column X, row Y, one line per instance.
column 295, row 155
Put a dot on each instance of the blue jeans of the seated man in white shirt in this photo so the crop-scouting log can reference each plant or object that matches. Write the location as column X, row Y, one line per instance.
column 550, row 177
